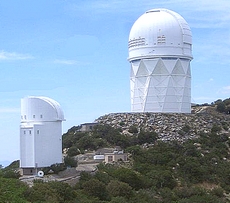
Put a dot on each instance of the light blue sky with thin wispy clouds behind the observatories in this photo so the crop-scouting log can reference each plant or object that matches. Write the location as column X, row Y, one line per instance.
column 75, row 52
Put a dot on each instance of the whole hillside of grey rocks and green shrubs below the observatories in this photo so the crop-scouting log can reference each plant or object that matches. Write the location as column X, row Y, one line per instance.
column 176, row 158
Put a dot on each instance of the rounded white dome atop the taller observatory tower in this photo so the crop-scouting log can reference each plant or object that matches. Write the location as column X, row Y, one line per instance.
column 160, row 32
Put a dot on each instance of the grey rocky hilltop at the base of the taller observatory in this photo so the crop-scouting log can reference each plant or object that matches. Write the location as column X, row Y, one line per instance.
column 170, row 126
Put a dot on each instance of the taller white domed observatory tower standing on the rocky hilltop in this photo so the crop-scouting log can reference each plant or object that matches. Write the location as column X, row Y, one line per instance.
column 160, row 51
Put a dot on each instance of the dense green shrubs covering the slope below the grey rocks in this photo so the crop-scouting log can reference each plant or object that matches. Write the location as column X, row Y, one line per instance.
column 196, row 171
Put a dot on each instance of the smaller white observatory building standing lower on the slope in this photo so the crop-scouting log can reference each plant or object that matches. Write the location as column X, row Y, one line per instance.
column 40, row 134
